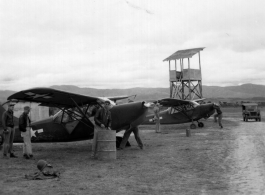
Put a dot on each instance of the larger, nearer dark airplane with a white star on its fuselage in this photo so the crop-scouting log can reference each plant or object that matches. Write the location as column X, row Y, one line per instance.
column 72, row 122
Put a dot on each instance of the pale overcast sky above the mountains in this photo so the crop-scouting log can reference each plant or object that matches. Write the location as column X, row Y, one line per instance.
column 122, row 43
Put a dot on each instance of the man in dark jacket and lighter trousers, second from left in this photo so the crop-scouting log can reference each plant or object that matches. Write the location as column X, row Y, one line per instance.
column 24, row 127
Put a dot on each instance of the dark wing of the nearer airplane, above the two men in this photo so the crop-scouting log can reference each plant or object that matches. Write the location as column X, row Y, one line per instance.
column 52, row 97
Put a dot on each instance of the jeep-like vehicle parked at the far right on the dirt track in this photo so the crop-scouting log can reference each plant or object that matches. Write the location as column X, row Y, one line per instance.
column 250, row 111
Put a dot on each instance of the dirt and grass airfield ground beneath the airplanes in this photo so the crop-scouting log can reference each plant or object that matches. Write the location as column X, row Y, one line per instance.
column 212, row 161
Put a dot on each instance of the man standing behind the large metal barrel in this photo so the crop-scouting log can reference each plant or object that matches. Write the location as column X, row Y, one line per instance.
column 102, row 120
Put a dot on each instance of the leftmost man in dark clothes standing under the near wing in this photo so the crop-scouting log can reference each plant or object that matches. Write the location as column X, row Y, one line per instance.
column 9, row 131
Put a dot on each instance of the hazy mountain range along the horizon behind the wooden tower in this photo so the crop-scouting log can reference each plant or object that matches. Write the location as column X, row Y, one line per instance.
column 246, row 91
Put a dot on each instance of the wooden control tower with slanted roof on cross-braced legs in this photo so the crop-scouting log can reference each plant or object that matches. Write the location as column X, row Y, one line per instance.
column 185, row 83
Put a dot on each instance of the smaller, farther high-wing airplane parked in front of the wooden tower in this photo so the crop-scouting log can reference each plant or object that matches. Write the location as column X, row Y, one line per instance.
column 182, row 111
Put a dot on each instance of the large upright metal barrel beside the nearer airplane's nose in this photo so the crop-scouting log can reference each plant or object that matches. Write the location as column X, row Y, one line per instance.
column 106, row 146
